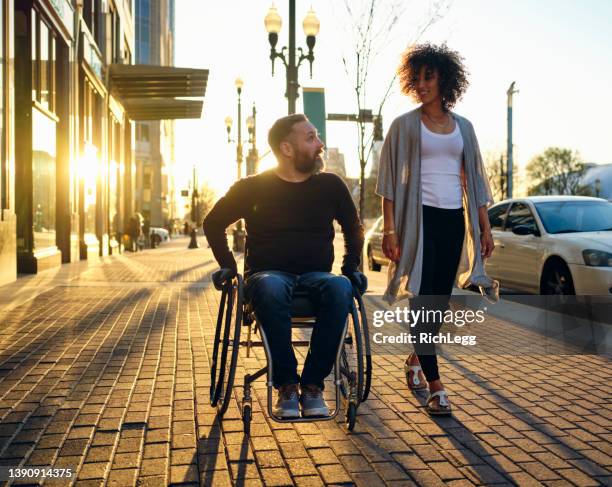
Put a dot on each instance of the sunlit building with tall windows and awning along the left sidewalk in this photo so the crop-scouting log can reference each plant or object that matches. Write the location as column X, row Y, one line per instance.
column 71, row 94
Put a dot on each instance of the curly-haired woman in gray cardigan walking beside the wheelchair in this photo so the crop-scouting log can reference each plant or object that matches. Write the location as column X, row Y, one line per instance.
column 435, row 197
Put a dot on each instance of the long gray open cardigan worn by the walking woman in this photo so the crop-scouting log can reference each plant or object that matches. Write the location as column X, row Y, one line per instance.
column 399, row 180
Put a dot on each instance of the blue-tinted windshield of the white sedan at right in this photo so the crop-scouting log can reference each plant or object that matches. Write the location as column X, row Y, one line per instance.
column 575, row 216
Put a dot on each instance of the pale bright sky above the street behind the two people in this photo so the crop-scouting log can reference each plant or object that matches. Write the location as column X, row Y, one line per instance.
column 557, row 51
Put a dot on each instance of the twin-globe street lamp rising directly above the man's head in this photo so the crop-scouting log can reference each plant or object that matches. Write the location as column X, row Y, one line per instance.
column 311, row 24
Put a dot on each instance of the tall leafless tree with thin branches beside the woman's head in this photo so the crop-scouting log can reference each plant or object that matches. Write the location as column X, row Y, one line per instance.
column 373, row 25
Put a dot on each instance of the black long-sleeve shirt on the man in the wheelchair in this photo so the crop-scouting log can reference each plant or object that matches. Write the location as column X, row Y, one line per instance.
column 289, row 225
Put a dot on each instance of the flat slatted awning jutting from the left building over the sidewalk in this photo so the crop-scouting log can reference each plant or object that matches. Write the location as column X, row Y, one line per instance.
column 150, row 92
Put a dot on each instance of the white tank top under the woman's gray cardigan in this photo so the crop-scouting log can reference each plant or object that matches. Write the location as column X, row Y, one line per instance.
column 441, row 156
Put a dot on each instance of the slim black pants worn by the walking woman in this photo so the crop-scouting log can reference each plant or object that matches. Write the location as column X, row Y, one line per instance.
column 443, row 232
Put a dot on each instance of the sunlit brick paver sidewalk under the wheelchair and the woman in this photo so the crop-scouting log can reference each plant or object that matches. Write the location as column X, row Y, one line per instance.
column 106, row 372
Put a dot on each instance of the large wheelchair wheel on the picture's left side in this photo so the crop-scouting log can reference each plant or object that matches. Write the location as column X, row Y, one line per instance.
column 226, row 347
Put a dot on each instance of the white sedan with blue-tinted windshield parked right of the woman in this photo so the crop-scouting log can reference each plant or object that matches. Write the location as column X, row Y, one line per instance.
column 552, row 245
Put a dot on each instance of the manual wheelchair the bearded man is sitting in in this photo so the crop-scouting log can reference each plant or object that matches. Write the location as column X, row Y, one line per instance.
column 352, row 369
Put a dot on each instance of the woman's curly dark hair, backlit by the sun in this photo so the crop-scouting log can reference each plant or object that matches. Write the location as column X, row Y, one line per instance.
column 448, row 64
